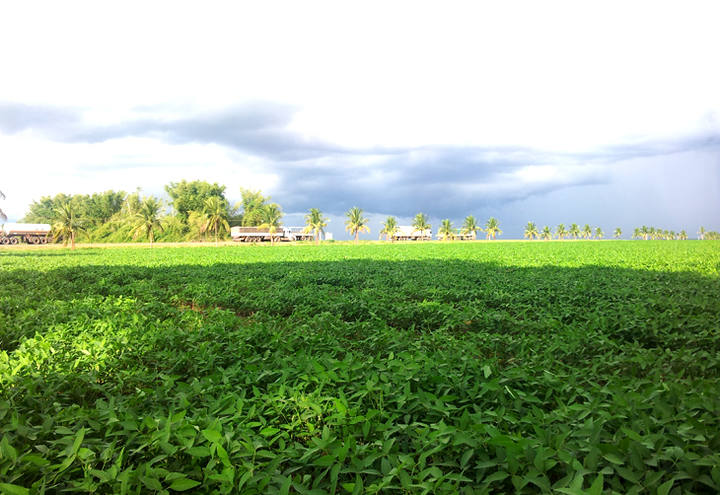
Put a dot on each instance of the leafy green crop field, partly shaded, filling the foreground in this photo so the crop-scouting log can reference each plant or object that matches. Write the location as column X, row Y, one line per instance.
column 490, row 367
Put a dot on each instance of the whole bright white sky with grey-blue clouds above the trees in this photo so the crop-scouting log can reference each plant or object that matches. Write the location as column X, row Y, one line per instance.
column 605, row 113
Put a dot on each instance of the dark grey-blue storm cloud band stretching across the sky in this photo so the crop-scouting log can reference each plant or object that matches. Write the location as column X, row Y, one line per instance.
column 441, row 180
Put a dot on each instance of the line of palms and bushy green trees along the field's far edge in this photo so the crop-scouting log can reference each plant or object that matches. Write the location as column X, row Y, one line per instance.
column 198, row 210
